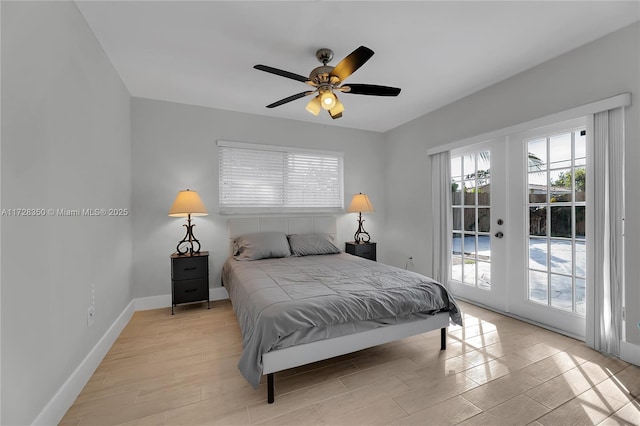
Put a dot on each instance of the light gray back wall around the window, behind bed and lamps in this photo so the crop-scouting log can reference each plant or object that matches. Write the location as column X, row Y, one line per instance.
column 174, row 148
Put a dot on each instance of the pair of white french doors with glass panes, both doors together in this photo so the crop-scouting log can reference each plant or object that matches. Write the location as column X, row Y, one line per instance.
column 519, row 236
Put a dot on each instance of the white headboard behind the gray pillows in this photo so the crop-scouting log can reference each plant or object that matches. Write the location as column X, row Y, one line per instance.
column 288, row 225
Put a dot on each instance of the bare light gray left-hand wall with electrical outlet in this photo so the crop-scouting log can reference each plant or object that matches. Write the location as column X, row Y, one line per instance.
column 65, row 145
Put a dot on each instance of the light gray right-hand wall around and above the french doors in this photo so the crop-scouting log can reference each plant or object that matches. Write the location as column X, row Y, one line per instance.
column 601, row 69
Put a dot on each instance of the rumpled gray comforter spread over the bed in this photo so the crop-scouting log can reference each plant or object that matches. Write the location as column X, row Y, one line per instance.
column 294, row 300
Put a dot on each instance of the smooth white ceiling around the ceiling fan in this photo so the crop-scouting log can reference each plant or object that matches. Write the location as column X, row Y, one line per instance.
column 203, row 52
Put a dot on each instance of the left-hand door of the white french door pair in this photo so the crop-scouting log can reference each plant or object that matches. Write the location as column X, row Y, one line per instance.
column 478, row 258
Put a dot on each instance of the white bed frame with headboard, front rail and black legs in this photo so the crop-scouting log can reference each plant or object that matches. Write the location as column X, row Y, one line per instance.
column 295, row 356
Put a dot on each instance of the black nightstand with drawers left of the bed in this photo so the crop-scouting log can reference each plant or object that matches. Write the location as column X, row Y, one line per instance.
column 189, row 279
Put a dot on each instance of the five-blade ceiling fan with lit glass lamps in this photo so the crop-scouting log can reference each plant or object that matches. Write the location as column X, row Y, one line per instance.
column 328, row 80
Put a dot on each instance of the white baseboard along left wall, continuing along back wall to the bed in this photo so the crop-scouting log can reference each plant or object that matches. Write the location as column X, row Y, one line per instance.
column 69, row 391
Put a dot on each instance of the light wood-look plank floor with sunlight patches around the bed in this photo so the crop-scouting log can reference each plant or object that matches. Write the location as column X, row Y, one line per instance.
column 181, row 369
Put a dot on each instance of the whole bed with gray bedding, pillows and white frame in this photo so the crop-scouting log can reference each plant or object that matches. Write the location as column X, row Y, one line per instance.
column 299, row 299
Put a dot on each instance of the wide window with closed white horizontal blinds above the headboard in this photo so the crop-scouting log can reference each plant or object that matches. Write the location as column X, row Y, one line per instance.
column 257, row 178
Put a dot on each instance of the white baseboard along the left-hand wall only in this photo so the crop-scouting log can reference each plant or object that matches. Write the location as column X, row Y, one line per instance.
column 69, row 391
